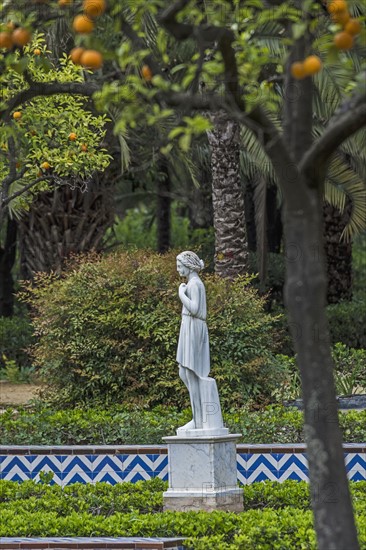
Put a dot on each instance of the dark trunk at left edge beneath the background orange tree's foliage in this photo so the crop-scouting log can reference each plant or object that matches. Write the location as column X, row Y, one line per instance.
column 7, row 259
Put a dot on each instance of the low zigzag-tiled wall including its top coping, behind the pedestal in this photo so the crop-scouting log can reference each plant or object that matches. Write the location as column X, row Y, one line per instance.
column 115, row 464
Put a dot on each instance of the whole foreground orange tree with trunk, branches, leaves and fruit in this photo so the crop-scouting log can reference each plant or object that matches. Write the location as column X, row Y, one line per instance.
column 226, row 66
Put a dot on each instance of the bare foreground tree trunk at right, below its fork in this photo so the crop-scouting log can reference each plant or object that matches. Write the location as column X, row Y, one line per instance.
column 305, row 293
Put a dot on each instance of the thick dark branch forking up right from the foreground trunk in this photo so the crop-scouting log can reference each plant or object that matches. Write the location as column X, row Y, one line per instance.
column 346, row 121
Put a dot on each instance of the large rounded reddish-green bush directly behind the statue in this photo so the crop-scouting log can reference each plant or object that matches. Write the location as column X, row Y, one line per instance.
column 108, row 330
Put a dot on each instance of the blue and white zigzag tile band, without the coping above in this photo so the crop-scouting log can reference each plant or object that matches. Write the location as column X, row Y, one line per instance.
column 116, row 468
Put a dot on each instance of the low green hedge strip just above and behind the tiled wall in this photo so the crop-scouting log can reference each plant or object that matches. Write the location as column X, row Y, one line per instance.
column 118, row 426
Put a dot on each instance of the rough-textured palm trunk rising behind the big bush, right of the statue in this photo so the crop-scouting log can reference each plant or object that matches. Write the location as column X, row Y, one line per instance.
column 231, row 247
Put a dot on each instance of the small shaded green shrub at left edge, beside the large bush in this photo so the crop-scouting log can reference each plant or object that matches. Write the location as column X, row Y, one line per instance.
column 15, row 339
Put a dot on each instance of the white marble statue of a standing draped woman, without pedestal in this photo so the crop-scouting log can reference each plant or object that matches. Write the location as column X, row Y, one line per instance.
column 193, row 353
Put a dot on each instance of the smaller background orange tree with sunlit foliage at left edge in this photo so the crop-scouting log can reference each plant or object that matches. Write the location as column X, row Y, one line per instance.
column 44, row 142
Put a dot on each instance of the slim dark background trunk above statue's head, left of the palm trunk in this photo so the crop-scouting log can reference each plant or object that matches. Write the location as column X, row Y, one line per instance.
column 163, row 208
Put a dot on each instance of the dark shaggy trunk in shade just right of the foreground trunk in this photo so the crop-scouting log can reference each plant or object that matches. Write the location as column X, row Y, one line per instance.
column 338, row 254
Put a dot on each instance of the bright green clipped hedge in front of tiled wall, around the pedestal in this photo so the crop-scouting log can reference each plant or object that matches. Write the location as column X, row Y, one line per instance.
column 277, row 516
